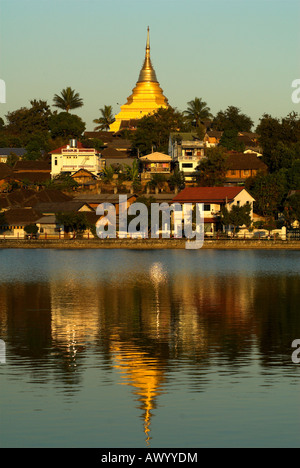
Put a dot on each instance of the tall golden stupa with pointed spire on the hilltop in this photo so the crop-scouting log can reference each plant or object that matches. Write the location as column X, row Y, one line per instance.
column 147, row 96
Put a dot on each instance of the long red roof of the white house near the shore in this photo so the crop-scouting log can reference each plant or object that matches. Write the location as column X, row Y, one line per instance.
column 207, row 194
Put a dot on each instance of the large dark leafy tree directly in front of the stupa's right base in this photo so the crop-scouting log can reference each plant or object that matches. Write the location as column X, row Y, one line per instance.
column 153, row 131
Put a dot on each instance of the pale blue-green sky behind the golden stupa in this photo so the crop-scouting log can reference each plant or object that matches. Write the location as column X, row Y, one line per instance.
column 228, row 52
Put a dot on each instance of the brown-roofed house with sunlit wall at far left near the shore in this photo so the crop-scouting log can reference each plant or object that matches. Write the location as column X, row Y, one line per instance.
column 16, row 219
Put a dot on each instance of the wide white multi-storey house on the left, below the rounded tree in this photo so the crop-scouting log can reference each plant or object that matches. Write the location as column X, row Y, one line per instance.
column 71, row 158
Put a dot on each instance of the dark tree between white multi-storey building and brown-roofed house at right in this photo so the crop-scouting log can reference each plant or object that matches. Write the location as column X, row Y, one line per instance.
column 212, row 169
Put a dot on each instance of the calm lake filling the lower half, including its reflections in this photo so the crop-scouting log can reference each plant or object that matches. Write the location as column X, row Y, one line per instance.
column 167, row 348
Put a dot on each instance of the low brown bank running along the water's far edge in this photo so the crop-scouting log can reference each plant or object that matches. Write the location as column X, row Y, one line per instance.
column 148, row 244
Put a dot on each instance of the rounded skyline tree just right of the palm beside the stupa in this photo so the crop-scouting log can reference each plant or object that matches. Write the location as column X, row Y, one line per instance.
column 232, row 119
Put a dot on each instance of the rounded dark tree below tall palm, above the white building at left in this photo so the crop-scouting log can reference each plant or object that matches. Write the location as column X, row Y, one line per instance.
column 66, row 125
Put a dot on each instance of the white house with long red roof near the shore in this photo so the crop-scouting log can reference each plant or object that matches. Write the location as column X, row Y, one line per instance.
column 214, row 199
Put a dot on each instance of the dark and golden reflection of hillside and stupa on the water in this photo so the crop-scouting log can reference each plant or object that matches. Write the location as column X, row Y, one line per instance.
column 151, row 325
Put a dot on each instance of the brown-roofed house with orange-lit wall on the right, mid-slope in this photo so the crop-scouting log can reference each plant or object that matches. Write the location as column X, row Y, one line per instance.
column 240, row 166
